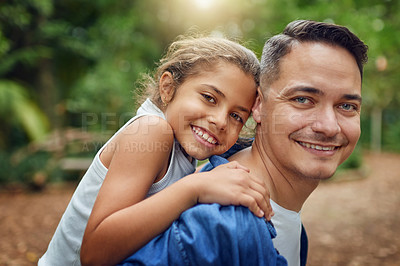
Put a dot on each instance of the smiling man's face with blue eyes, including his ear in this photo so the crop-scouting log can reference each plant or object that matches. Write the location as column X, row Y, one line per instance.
column 310, row 116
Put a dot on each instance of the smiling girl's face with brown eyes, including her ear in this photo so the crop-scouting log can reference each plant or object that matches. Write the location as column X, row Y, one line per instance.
column 208, row 111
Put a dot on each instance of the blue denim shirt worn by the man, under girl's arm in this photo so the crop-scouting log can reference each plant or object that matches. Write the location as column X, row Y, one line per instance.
column 211, row 234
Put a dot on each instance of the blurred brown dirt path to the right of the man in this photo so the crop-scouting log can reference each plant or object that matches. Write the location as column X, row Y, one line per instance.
column 357, row 222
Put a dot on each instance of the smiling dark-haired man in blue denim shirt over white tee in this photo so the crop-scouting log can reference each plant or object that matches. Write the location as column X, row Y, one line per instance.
column 308, row 123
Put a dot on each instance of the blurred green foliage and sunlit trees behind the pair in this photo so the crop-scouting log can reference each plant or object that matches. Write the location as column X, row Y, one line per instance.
column 74, row 63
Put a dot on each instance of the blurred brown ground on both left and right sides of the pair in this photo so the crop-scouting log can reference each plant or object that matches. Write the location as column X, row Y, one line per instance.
column 352, row 222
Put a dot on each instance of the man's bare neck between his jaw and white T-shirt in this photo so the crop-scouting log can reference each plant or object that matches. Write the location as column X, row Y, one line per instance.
column 287, row 190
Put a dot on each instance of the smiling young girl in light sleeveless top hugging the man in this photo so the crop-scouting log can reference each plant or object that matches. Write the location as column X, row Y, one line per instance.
column 203, row 93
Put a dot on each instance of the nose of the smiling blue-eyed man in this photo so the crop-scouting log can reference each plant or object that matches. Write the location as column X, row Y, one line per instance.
column 325, row 121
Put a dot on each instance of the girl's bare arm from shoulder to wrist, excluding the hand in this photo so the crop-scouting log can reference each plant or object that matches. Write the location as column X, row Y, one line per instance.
column 121, row 220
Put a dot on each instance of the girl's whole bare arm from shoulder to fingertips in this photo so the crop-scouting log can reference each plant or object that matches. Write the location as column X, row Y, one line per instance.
column 122, row 220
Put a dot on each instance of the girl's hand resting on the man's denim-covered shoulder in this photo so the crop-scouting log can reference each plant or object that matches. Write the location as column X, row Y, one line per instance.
column 232, row 184
